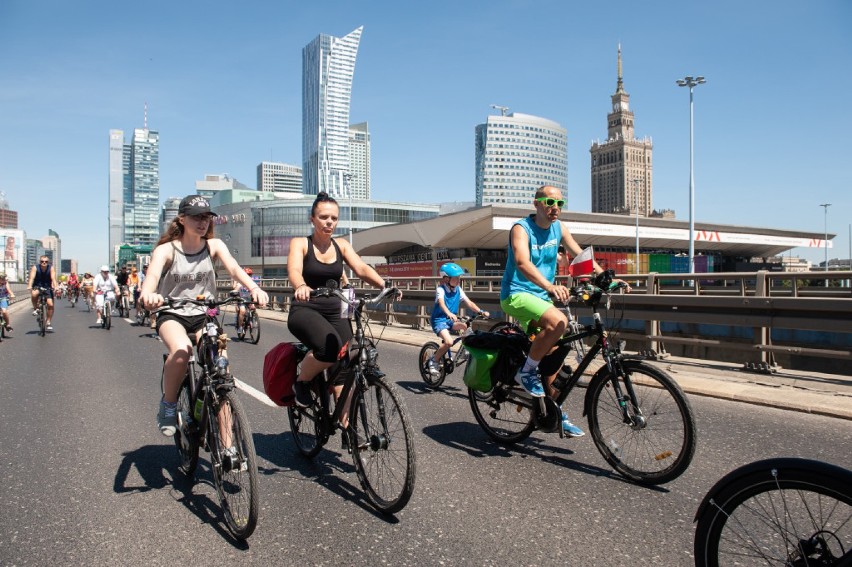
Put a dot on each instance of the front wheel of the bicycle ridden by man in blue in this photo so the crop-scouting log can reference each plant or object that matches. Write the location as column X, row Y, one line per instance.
column 657, row 443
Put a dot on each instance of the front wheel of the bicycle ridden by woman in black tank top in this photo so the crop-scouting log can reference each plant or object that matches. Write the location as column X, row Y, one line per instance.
column 382, row 444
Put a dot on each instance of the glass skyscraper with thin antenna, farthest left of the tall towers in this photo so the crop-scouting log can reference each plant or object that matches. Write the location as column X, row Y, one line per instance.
column 134, row 189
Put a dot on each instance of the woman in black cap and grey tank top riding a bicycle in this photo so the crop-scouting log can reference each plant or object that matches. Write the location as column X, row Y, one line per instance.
column 182, row 268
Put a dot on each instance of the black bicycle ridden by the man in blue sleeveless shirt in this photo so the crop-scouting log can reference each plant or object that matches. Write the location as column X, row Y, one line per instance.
column 640, row 420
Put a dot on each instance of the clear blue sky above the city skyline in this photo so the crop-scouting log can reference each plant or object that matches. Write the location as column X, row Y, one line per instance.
column 222, row 81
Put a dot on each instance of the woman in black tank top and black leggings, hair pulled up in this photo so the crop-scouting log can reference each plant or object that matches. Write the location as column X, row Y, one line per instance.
column 316, row 321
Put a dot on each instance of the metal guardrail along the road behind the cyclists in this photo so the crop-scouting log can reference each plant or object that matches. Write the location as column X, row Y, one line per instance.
column 760, row 301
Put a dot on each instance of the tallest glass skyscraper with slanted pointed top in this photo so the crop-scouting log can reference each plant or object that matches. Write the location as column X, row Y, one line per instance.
column 328, row 65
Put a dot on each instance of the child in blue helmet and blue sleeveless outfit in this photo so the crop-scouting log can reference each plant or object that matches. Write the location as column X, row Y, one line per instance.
column 448, row 297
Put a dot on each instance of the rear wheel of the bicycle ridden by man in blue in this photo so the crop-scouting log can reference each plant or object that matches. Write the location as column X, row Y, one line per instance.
column 502, row 414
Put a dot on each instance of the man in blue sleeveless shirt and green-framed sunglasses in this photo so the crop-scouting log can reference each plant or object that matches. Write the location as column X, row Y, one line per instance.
column 528, row 285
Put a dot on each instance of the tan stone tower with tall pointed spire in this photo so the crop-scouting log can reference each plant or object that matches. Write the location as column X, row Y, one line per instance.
column 621, row 165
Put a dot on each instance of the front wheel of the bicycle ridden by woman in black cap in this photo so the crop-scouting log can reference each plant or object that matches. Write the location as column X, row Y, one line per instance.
column 233, row 460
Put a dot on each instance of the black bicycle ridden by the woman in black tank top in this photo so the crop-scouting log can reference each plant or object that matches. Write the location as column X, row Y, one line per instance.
column 379, row 434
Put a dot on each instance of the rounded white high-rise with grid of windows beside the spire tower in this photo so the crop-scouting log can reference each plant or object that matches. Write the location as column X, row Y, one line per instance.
column 516, row 154
